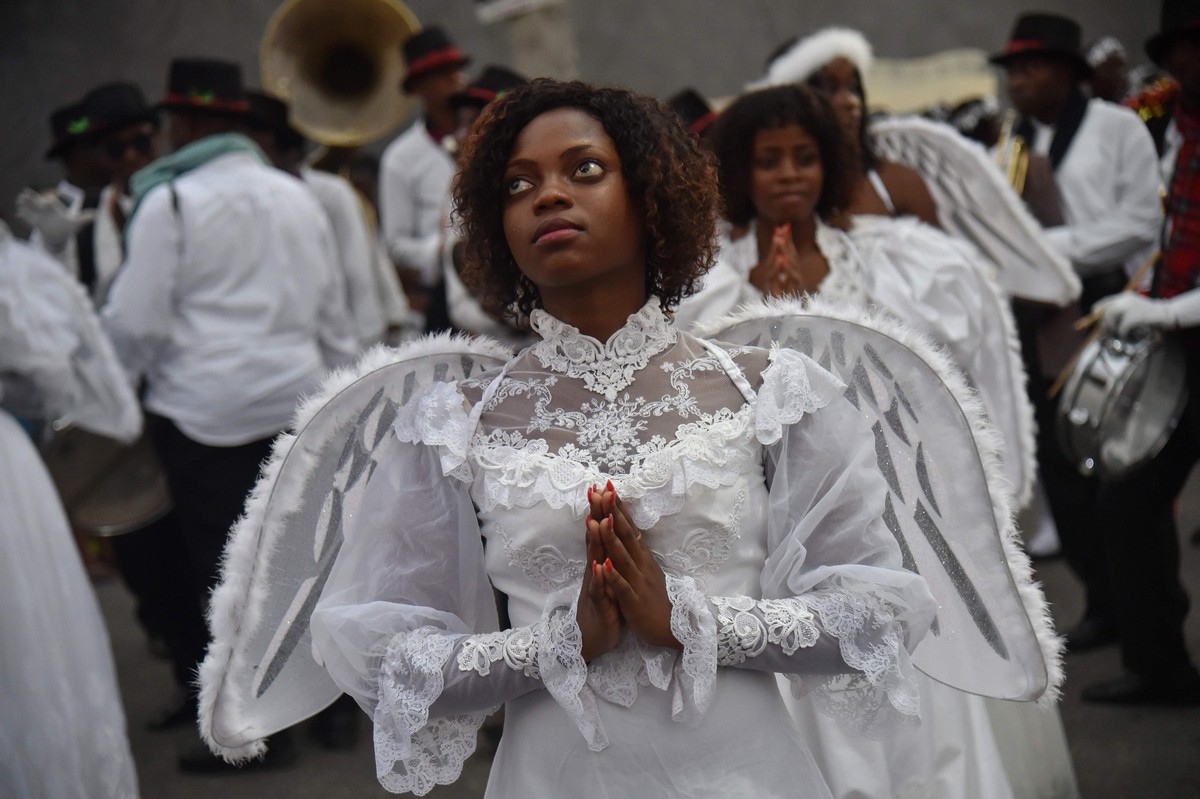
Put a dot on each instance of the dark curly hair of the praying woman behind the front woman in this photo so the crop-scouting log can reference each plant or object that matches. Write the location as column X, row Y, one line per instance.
column 770, row 110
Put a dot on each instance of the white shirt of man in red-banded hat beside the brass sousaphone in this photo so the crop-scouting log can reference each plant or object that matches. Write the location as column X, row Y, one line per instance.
column 415, row 188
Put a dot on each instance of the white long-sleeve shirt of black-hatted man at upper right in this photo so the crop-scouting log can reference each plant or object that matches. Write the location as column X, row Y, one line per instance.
column 1109, row 184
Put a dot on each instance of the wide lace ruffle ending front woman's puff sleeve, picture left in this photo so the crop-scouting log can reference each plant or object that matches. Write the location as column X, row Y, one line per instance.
column 412, row 753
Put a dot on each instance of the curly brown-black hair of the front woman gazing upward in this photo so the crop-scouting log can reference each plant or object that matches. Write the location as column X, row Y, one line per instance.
column 671, row 181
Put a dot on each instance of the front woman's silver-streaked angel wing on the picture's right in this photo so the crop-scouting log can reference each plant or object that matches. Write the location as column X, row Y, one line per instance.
column 949, row 504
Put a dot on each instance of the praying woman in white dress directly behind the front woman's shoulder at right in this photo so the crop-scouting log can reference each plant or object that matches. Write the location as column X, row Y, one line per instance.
column 788, row 179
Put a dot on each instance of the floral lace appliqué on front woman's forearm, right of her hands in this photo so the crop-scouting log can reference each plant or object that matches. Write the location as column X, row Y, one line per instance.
column 745, row 627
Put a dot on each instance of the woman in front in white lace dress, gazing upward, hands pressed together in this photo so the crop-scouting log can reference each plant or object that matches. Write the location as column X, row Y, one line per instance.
column 673, row 522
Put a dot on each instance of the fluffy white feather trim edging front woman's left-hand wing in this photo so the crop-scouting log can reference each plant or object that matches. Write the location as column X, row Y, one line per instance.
column 237, row 602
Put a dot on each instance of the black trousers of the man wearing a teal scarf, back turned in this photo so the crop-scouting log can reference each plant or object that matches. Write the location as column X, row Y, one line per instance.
column 209, row 485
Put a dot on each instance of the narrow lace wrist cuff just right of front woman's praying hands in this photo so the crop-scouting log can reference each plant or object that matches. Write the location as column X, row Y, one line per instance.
column 693, row 624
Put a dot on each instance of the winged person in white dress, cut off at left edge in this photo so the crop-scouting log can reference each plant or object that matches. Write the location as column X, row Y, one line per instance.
column 62, row 723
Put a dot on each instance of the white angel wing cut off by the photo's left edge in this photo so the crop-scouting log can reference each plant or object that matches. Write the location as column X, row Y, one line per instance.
column 58, row 362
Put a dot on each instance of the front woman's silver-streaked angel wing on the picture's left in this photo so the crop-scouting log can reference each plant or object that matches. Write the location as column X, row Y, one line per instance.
column 260, row 675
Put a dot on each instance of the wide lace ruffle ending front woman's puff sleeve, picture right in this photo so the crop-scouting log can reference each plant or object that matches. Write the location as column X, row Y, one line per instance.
column 881, row 694
